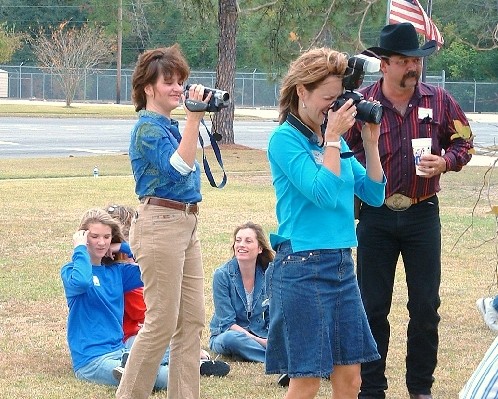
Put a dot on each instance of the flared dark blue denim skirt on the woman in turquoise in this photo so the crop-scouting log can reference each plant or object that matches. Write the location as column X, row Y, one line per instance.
column 317, row 319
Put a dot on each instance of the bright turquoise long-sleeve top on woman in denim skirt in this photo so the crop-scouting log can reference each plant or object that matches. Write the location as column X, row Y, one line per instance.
column 314, row 206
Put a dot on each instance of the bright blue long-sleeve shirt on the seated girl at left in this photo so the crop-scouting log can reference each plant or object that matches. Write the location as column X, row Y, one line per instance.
column 94, row 296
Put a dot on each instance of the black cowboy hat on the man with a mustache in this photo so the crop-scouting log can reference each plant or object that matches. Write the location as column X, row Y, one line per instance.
column 400, row 39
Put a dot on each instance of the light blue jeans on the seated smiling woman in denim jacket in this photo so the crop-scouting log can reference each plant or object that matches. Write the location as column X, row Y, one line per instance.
column 237, row 344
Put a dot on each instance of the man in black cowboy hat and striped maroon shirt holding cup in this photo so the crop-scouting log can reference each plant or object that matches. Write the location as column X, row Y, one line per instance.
column 408, row 223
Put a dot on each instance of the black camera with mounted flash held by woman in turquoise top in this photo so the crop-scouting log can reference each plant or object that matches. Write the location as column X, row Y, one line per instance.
column 366, row 111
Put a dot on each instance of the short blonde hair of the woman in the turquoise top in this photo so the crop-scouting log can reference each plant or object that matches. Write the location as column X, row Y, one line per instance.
column 309, row 69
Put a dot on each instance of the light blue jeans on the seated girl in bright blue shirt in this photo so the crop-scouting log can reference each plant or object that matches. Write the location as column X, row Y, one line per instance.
column 100, row 369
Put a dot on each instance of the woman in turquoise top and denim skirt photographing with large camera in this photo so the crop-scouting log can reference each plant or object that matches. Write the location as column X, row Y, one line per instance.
column 318, row 327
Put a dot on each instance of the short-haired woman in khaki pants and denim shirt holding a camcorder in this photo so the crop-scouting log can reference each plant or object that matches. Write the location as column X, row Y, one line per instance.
column 163, row 234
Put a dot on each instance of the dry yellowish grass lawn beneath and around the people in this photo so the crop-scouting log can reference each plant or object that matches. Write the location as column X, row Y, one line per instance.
column 41, row 206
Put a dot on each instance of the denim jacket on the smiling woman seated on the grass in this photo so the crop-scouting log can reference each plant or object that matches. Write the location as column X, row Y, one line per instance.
column 230, row 302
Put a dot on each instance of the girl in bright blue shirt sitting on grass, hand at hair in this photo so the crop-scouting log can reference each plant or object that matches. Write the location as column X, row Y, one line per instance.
column 94, row 286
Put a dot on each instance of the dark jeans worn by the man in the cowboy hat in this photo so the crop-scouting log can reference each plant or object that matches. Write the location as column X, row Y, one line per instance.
column 383, row 235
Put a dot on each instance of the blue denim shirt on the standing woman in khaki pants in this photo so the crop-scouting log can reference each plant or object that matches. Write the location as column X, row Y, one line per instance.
column 154, row 139
